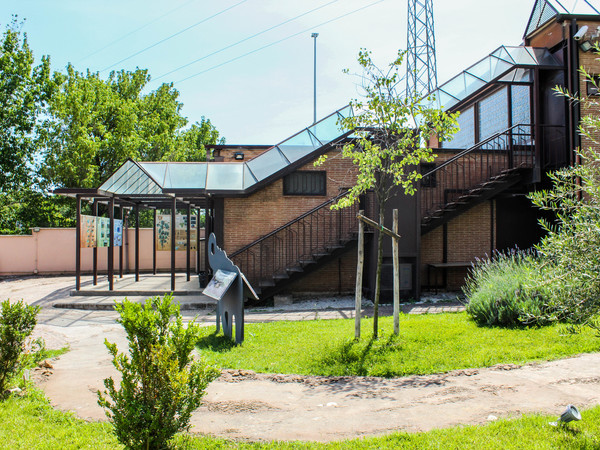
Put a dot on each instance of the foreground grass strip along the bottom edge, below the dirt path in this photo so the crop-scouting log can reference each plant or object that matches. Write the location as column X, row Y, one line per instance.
column 31, row 423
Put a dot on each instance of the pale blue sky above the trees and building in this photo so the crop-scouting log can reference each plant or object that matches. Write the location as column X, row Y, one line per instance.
column 266, row 96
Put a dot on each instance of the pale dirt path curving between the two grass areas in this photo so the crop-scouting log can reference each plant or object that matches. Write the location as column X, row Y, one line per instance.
column 288, row 407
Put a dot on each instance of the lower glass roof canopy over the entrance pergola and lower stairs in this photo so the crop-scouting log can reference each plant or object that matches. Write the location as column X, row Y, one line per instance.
column 159, row 178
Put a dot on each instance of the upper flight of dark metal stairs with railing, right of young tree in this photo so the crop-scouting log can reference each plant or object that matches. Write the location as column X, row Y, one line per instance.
column 476, row 175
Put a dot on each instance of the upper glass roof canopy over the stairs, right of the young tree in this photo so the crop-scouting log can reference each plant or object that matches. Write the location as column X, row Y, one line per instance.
column 504, row 64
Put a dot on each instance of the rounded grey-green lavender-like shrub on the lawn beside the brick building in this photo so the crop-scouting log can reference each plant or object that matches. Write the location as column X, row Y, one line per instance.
column 501, row 291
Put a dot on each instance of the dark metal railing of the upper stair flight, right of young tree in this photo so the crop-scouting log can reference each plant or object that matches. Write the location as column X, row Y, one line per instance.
column 472, row 168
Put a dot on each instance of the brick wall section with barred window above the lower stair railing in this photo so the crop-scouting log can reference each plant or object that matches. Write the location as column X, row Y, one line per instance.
column 247, row 219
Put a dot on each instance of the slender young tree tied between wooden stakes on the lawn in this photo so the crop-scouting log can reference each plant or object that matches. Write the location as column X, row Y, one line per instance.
column 392, row 131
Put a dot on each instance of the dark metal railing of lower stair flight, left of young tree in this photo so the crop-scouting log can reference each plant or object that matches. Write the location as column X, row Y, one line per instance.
column 298, row 243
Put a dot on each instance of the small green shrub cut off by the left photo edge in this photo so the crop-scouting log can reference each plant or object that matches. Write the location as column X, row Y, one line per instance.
column 17, row 321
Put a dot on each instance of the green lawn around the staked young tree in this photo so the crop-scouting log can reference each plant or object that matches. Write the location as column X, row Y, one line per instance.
column 427, row 344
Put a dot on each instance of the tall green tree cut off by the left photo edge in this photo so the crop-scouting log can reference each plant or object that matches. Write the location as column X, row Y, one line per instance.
column 25, row 90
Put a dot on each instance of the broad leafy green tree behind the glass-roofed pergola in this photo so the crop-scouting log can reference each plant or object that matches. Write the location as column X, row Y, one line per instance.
column 94, row 125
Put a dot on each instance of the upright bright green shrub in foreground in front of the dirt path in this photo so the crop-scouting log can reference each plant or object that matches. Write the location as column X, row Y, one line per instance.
column 161, row 383
